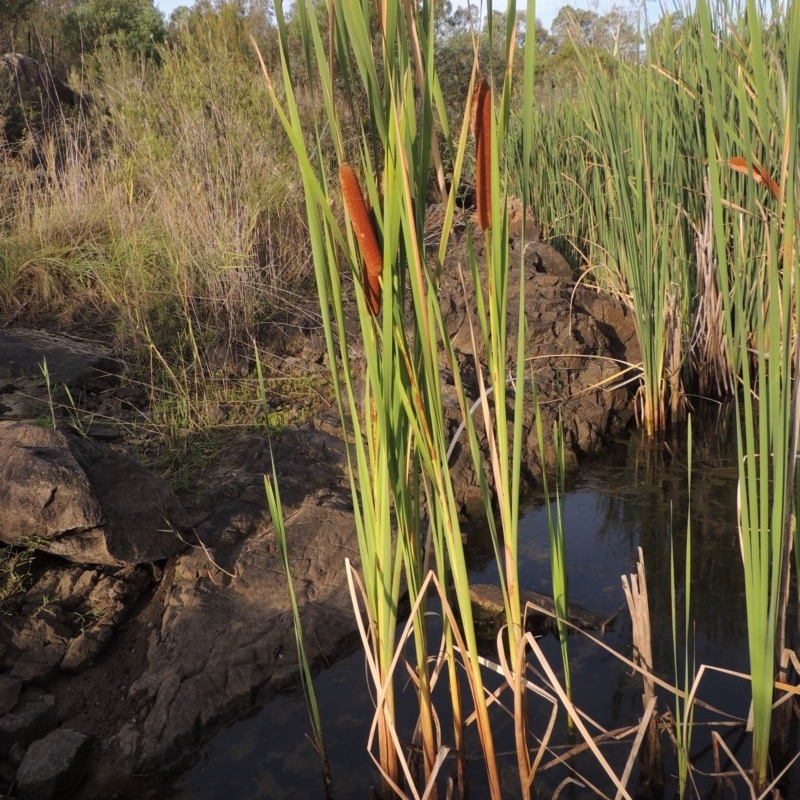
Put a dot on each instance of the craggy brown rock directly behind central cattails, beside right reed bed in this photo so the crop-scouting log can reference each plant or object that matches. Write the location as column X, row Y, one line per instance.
column 575, row 354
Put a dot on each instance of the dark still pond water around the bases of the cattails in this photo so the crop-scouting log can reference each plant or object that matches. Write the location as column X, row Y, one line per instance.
column 635, row 497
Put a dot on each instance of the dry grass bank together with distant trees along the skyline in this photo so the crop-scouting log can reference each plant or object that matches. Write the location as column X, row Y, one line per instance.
column 164, row 208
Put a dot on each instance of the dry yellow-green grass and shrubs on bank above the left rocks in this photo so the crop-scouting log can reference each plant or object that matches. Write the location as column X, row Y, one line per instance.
column 170, row 217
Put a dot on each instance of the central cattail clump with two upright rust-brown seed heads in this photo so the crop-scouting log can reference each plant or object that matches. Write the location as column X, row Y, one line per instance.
column 378, row 297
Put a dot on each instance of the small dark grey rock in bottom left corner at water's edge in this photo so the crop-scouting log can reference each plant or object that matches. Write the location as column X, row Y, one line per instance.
column 53, row 766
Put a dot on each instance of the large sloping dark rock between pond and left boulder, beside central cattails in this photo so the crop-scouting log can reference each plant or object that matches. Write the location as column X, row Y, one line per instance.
column 225, row 638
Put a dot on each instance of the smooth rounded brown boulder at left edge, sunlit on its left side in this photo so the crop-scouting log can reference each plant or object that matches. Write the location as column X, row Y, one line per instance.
column 62, row 494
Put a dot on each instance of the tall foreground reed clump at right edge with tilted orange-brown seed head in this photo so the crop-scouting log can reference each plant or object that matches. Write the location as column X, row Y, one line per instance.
column 752, row 112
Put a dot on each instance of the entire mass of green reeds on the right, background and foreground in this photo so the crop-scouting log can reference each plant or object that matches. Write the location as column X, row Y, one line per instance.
column 621, row 174
